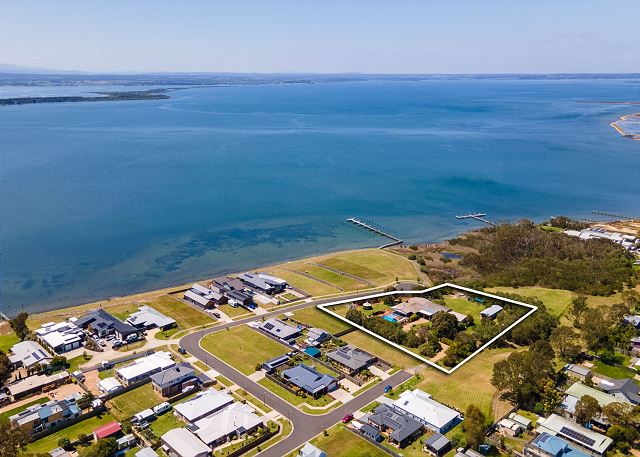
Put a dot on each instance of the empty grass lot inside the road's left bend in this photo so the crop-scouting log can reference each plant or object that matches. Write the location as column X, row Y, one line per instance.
column 242, row 348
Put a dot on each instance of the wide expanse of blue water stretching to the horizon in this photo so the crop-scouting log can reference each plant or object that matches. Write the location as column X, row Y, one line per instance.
column 103, row 199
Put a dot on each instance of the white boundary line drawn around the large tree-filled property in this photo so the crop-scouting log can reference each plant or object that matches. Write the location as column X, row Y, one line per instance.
column 532, row 310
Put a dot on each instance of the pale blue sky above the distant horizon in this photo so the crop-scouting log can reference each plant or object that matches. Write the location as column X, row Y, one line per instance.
column 448, row 36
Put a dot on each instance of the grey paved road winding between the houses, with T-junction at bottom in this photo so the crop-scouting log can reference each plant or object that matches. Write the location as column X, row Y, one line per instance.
column 306, row 426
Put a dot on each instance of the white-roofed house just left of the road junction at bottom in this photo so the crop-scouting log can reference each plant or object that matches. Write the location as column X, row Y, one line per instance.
column 233, row 421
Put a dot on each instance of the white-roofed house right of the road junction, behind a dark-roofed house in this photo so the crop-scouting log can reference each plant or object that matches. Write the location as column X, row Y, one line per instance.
column 420, row 406
